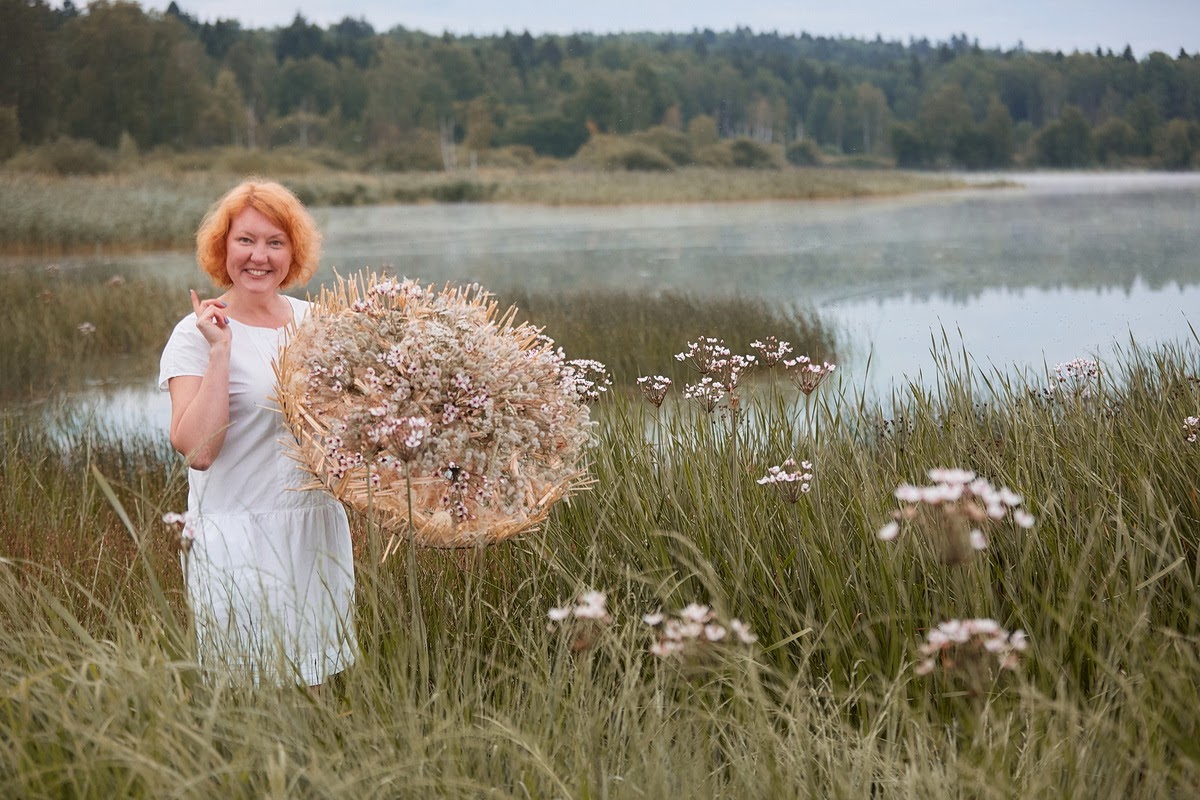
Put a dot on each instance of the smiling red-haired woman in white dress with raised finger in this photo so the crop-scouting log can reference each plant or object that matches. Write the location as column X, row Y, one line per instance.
column 271, row 576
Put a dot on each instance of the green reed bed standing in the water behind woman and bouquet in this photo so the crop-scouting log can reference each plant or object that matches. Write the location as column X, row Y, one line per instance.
column 131, row 320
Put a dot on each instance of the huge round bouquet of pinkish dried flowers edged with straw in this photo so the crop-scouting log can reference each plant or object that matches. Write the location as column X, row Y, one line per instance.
column 425, row 408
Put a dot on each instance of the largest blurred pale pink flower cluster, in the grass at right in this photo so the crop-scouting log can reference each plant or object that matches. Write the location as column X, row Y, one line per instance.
column 957, row 510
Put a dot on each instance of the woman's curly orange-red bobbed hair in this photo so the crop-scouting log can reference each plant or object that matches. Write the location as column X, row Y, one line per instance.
column 279, row 206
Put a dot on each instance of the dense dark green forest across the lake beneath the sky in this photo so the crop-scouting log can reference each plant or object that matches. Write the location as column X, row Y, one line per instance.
column 123, row 77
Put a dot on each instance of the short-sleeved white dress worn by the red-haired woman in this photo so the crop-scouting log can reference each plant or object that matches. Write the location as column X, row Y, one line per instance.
column 271, row 576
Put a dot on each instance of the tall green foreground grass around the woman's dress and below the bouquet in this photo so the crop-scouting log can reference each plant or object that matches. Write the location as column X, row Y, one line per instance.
column 100, row 696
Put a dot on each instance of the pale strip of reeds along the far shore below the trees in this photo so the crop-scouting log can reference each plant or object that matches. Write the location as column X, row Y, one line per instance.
column 152, row 209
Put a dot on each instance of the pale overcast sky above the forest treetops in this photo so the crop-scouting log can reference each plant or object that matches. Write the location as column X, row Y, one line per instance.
column 1040, row 25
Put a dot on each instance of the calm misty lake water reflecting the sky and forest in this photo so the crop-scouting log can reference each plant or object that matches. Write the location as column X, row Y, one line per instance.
column 1060, row 267
